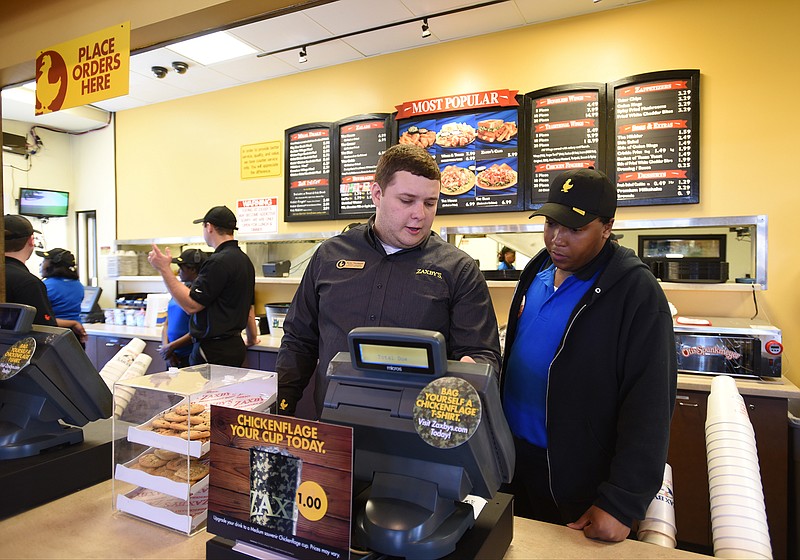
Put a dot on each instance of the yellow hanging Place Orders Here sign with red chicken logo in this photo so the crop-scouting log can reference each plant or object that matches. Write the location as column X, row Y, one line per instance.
column 84, row 70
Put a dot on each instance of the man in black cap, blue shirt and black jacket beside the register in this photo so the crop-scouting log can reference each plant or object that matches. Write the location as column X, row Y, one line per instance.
column 589, row 369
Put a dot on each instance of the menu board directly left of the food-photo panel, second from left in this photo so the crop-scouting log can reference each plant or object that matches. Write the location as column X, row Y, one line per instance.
column 361, row 142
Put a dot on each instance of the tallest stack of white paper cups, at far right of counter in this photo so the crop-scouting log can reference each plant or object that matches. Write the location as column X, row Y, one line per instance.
column 738, row 516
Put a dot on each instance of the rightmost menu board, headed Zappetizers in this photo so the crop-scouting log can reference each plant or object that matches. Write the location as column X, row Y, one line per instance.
column 655, row 131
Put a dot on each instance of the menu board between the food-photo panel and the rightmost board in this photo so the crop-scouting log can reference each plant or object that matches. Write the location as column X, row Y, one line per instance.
column 566, row 132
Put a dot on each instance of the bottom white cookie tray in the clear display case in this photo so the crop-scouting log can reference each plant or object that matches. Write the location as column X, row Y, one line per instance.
column 187, row 516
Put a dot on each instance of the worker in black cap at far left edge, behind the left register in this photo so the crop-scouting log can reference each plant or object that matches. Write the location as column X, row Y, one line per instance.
column 21, row 285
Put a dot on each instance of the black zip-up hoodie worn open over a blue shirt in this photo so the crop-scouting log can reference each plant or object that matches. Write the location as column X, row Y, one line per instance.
column 611, row 388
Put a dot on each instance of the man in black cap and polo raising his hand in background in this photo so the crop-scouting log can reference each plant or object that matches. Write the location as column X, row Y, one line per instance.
column 220, row 301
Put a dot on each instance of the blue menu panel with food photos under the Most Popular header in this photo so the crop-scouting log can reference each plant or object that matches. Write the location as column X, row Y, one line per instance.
column 478, row 155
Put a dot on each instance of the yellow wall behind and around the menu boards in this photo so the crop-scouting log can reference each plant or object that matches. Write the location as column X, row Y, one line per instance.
column 176, row 159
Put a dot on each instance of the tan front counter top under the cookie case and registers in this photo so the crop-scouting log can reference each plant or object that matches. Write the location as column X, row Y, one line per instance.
column 82, row 525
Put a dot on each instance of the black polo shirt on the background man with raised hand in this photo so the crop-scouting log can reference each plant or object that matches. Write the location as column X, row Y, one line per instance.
column 226, row 287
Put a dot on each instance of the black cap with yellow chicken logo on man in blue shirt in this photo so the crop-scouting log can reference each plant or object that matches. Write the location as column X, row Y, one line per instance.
column 578, row 196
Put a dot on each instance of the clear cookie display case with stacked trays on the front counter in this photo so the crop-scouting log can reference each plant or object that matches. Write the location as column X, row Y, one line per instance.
column 162, row 428
